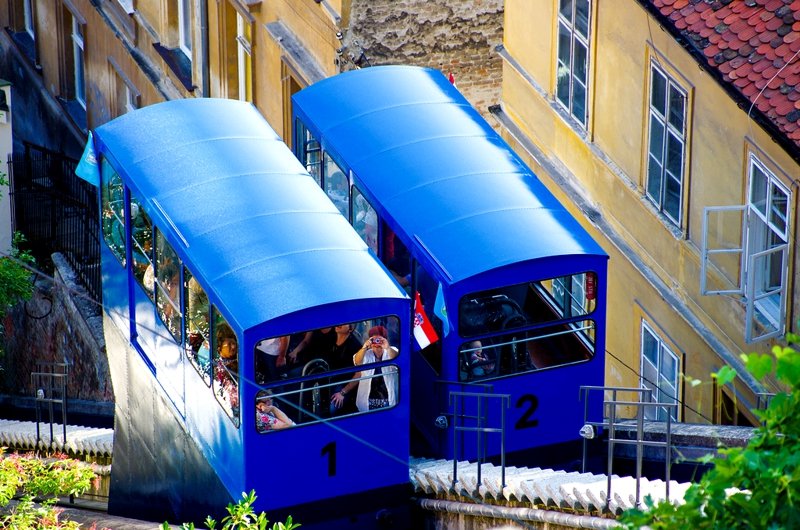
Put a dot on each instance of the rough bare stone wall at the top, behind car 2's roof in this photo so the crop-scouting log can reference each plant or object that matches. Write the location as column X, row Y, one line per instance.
column 455, row 37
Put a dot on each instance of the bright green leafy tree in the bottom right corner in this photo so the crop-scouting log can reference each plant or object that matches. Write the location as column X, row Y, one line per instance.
column 751, row 487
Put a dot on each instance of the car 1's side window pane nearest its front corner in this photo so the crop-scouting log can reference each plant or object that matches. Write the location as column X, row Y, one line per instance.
column 226, row 366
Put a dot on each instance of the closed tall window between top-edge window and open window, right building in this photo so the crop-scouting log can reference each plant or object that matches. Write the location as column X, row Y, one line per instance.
column 666, row 144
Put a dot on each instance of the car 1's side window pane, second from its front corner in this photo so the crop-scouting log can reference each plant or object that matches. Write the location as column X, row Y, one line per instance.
column 198, row 316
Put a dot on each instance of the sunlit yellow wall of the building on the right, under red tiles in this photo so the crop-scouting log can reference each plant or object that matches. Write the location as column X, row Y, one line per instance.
column 607, row 162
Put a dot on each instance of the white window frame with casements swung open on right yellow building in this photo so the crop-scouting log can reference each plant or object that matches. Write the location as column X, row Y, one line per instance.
column 761, row 220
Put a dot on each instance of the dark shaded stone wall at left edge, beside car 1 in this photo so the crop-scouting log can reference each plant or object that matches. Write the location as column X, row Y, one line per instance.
column 59, row 324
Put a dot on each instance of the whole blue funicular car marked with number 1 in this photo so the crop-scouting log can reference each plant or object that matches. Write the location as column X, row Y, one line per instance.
column 220, row 256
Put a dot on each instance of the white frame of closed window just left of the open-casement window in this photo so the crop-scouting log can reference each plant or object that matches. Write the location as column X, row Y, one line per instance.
column 669, row 131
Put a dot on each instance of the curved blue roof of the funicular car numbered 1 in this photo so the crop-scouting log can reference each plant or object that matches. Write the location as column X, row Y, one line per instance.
column 262, row 235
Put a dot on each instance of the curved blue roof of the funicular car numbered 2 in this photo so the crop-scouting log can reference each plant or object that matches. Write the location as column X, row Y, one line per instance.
column 439, row 170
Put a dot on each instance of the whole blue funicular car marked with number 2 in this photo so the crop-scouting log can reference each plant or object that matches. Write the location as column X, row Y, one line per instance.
column 512, row 285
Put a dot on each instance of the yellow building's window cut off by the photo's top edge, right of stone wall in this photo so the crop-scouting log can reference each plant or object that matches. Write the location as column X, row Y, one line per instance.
column 572, row 74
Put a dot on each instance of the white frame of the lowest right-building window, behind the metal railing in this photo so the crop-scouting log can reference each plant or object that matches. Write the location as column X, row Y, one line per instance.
column 663, row 350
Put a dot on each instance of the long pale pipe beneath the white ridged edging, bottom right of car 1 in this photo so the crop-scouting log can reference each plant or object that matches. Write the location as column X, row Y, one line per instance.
column 517, row 514
